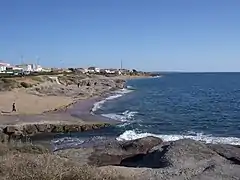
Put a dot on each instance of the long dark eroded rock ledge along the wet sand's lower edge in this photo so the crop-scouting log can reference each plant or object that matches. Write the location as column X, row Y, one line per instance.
column 9, row 132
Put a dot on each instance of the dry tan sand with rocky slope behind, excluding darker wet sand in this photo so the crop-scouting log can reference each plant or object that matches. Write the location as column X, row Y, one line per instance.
column 49, row 96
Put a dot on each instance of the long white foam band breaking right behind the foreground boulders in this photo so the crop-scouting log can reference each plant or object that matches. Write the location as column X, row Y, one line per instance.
column 132, row 135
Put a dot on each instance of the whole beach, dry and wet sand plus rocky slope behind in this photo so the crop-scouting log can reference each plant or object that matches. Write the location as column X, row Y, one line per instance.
column 51, row 102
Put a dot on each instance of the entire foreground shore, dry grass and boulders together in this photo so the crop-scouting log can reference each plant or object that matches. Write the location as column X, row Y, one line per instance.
column 141, row 159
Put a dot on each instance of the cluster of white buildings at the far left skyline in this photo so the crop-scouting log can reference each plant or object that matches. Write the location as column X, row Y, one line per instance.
column 21, row 68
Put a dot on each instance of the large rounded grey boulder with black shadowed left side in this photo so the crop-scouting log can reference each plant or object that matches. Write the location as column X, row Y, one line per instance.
column 184, row 153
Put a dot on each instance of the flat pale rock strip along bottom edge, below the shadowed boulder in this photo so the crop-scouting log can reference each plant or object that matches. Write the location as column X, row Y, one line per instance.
column 220, row 172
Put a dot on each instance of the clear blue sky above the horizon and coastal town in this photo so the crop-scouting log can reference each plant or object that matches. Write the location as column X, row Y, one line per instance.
column 165, row 35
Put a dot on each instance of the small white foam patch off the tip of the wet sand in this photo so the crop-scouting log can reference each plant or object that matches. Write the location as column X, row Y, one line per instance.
column 125, row 116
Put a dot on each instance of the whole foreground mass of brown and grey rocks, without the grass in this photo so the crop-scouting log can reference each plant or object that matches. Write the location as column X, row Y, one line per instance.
column 149, row 158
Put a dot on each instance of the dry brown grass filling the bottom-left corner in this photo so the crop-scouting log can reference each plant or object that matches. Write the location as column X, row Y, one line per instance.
column 24, row 163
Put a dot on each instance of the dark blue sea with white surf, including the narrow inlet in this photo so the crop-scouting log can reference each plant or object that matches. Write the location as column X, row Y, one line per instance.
column 200, row 106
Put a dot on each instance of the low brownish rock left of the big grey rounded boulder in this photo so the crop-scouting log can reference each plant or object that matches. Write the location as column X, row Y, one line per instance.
column 109, row 152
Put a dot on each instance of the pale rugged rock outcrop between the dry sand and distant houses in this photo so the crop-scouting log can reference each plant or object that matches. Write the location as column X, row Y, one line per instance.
column 74, row 86
